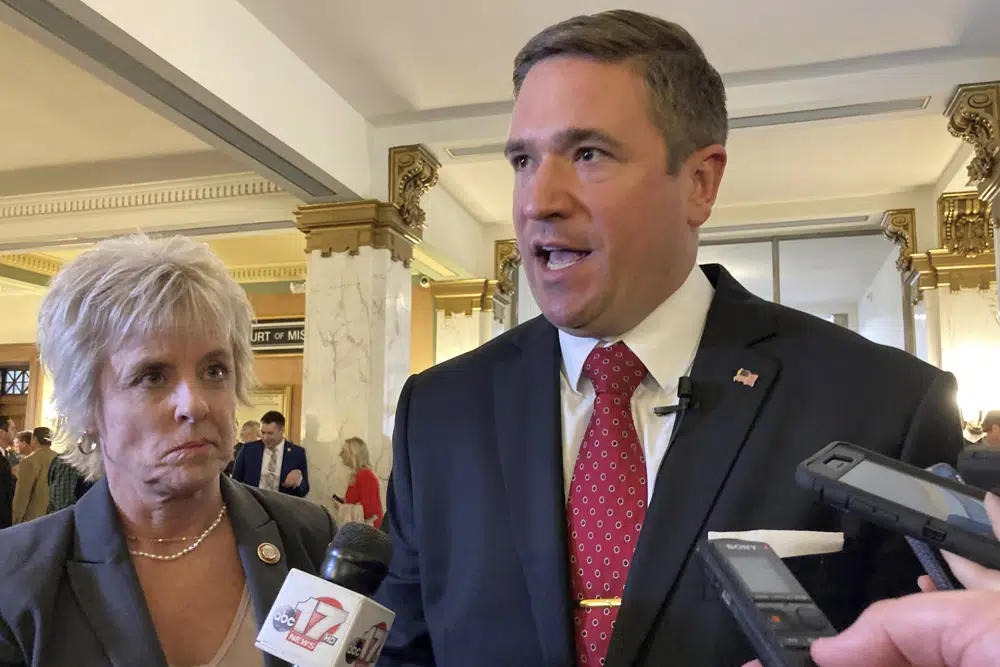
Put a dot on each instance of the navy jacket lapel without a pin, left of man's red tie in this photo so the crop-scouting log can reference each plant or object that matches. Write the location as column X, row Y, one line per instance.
column 529, row 439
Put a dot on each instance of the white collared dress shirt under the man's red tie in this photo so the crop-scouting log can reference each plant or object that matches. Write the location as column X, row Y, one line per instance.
column 666, row 343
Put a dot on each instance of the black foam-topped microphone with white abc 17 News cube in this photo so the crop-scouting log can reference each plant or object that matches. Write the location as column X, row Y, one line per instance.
column 330, row 621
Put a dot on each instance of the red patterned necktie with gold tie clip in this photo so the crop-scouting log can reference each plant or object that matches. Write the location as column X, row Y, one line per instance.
column 607, row 498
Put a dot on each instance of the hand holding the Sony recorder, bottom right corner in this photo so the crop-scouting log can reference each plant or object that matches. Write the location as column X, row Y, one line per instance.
column 951, row 629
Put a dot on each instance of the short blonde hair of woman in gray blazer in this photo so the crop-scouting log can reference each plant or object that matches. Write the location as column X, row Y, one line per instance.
column 131, row 288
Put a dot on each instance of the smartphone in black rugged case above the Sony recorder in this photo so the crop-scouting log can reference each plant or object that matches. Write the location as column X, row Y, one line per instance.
column 903, row 498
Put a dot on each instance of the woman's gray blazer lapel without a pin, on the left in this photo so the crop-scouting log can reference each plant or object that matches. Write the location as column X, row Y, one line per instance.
column 106, row 585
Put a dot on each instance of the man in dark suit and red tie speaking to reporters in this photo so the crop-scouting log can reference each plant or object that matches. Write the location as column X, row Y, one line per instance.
column 522, row 510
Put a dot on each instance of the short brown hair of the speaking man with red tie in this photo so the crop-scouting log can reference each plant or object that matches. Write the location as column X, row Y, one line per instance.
column 687, row 99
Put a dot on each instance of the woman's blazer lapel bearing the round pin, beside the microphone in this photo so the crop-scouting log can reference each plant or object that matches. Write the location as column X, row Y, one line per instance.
column 254, row 527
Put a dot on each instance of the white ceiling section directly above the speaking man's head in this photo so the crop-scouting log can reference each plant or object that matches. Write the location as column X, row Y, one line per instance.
column 398, row 56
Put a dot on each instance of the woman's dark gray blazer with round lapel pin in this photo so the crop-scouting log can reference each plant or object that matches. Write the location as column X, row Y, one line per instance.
column 69, row 594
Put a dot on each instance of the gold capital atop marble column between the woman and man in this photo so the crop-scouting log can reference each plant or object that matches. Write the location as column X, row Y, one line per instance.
column 347, row 226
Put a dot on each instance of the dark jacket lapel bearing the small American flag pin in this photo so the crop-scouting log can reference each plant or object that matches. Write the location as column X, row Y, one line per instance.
column 703, row 452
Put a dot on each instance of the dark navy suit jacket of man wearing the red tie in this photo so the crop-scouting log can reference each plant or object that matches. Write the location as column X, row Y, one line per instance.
column 477, row 510
